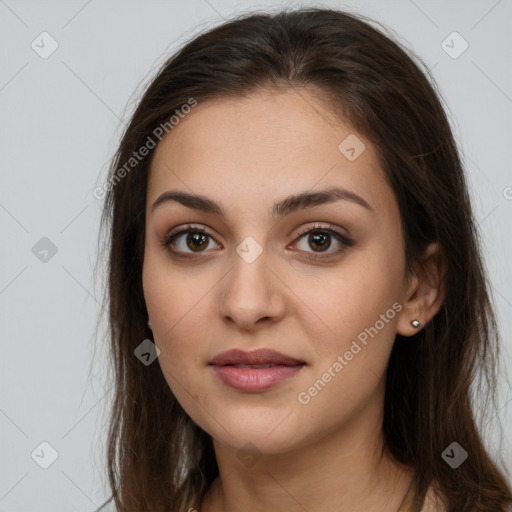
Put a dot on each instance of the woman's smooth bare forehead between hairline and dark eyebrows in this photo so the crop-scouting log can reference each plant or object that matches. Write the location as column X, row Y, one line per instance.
column 266, row 145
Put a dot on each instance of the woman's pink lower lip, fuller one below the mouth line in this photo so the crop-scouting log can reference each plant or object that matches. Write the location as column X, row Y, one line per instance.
column 255, row 379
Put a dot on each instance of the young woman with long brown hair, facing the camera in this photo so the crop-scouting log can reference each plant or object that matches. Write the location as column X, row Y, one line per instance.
column 298, row 305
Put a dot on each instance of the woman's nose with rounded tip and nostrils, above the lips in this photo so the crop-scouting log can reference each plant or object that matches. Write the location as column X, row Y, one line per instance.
column 251, row 295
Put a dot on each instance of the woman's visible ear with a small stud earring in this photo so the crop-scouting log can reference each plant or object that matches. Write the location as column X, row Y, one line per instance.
column 425, row 291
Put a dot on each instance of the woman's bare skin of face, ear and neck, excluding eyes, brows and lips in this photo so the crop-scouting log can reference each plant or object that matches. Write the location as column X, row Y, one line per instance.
column 248, row 153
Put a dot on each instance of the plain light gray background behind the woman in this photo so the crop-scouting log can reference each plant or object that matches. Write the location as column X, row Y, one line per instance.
column 61, row 118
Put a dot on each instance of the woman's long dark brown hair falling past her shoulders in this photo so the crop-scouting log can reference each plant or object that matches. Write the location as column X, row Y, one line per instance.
column 158, row 458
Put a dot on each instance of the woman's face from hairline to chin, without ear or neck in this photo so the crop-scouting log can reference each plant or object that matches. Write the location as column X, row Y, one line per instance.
column 319, row 281
